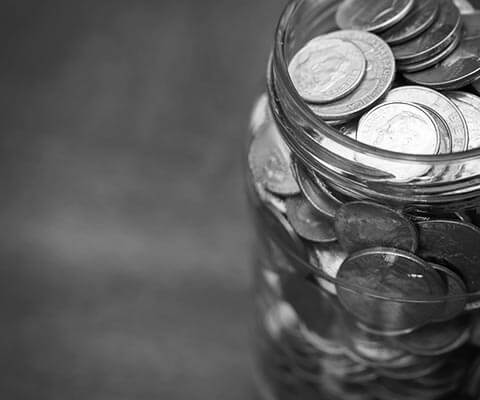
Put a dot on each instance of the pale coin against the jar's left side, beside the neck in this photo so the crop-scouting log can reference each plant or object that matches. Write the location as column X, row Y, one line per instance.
column 270, row 163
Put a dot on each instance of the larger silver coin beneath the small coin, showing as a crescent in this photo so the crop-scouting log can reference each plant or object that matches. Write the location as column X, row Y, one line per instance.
column 378, row 78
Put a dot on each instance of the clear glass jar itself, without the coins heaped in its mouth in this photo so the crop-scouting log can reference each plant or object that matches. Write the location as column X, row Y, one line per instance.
column 320, row 335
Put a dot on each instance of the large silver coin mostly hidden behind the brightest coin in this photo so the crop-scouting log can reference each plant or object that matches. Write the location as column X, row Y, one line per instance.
column 441, row 105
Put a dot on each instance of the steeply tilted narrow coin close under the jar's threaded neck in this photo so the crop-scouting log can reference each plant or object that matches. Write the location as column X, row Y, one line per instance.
column 315, row 191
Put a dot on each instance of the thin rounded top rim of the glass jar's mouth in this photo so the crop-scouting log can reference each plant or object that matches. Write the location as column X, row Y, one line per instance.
column 279, row 64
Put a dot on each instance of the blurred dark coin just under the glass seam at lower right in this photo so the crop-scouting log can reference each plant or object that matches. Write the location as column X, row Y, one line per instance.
column 436, row 339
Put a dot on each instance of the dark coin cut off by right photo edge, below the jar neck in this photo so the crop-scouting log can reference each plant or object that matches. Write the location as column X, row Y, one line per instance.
column 454, row 244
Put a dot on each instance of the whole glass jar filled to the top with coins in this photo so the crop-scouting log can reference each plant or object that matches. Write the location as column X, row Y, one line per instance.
column 364, row 181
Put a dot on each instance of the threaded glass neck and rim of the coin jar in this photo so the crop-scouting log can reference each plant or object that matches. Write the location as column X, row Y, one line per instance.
column 348, row 166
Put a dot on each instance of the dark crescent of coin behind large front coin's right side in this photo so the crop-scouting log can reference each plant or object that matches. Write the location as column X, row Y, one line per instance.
column 456, row 293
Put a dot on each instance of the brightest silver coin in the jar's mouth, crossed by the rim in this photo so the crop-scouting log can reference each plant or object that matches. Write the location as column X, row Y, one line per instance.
column 402, row 128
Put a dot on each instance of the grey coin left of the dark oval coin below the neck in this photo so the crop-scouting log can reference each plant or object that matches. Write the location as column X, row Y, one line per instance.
column 308, row 222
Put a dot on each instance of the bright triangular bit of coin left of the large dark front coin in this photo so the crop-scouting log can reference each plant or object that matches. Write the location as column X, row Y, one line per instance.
column 328, row 259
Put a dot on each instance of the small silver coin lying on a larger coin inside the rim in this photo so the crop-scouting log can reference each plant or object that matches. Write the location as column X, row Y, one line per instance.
column 327, row 69
